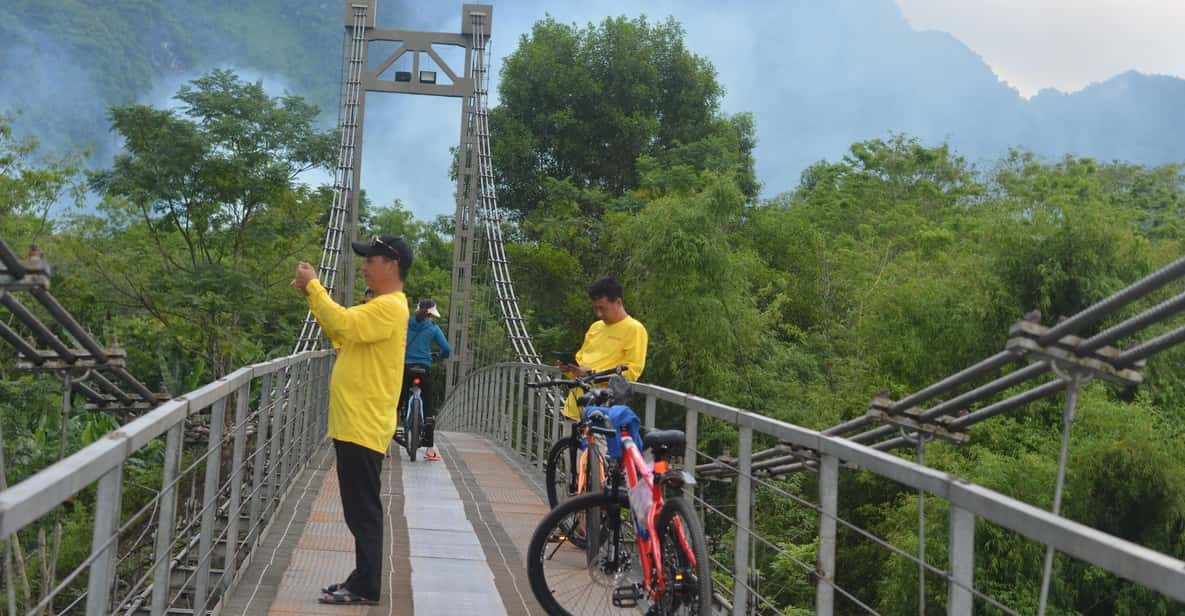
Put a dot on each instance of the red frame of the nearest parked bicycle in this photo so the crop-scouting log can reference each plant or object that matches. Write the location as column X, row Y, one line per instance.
column 636, row 471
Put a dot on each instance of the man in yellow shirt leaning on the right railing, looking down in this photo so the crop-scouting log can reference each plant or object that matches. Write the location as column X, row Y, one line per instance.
column 617, row 339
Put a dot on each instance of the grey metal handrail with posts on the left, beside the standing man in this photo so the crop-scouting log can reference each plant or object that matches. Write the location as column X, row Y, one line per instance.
column 291, row 421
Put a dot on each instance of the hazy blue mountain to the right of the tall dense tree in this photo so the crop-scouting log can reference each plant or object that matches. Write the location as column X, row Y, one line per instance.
column 850, row 70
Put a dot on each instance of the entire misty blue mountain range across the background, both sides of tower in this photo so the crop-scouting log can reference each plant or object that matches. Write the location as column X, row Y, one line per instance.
column 818, row 76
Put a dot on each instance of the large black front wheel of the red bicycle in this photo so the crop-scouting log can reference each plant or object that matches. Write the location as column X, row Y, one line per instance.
column 567, row 564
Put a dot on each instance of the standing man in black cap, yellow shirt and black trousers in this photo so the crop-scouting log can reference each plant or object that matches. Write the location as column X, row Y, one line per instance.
column 364, row 392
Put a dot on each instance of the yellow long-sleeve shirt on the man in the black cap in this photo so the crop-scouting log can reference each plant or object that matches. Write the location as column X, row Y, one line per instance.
column 364, row 389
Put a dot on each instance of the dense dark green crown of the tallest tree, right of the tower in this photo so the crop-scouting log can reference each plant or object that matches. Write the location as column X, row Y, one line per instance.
column 585, row 104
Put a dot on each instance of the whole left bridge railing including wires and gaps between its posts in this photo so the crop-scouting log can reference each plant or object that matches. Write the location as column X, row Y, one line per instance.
column 232, row 452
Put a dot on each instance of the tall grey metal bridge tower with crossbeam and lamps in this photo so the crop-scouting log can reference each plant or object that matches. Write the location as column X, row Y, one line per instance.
column 477, row 206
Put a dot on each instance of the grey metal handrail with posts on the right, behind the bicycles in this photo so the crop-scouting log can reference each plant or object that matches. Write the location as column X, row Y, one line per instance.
column 494, row 401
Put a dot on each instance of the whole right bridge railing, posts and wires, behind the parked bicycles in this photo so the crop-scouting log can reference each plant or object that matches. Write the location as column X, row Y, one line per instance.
column 495, row 402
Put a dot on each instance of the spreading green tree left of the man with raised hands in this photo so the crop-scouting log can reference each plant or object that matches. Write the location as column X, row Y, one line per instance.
column 204, row 217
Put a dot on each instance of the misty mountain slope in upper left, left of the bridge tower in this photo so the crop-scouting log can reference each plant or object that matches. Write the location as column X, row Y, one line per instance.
column 63, row 65
